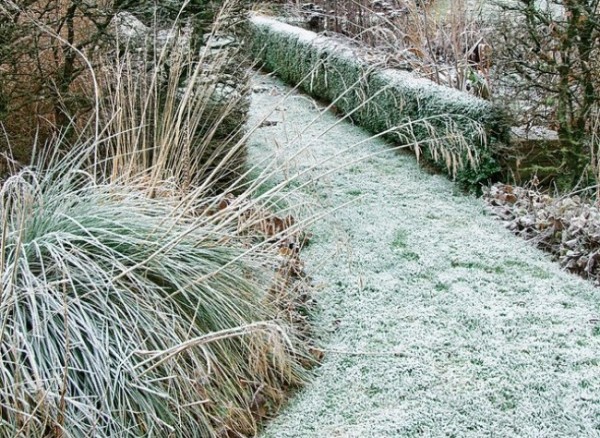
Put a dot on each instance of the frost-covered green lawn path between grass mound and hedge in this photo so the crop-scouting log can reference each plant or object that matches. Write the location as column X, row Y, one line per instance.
column 436, row 320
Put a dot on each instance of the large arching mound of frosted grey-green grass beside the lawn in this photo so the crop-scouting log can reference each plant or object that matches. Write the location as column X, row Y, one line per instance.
column 119, row 316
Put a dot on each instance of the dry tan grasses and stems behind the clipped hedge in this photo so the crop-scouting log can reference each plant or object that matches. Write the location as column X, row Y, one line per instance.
column 446, row 45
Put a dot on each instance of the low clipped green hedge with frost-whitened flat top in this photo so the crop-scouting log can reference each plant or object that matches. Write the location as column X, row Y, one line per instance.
column 379, row 99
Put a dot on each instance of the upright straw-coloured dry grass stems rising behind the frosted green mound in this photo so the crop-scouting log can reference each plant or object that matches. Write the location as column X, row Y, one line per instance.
column 174, row 110
